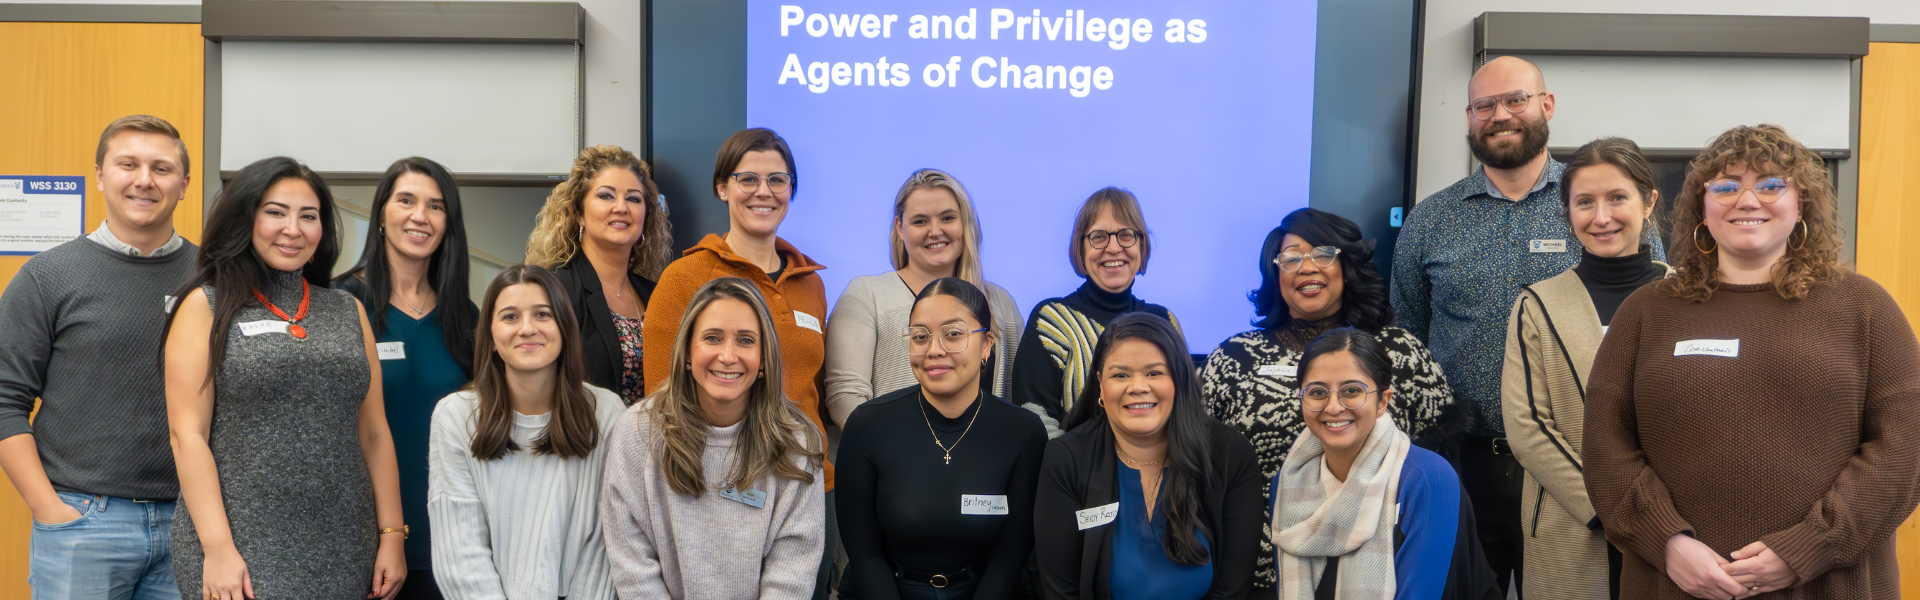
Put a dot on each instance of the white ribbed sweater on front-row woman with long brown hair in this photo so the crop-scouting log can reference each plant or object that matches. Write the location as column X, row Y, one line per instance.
column 523, row 526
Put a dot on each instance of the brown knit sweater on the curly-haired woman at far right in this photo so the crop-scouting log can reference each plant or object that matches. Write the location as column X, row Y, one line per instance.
column 1810, row 439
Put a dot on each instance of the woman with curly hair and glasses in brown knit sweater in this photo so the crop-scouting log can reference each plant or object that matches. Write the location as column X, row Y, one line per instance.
column 1754, row 424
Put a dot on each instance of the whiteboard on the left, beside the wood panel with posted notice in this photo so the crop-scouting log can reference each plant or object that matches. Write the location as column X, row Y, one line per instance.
column 358, row 107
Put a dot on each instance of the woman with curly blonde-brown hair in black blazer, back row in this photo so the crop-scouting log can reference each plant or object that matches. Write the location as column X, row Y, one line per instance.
column 604, row 232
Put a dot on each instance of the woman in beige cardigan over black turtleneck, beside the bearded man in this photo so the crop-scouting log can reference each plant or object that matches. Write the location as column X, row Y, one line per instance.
column 1552, row 339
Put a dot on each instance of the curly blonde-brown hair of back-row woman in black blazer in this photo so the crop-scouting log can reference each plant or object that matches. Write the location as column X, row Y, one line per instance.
column 558, row 230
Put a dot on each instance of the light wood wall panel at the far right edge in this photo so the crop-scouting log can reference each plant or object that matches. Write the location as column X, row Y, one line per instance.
column 1890, row 203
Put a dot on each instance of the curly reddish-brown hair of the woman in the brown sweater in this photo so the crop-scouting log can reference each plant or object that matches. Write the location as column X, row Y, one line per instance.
column 1765, row 149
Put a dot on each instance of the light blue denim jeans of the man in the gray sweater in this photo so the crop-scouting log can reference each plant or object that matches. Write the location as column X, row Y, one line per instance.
column 118, row 549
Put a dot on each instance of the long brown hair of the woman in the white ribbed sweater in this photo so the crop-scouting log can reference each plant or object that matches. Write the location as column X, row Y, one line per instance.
column 575, row 430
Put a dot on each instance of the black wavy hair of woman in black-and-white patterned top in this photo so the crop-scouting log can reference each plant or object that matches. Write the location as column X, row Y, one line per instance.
column 1364, row 299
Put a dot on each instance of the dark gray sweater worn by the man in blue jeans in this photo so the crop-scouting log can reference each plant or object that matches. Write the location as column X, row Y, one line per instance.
column 72, row 316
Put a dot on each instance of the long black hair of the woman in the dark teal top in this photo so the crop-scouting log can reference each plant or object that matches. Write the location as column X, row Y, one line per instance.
column 446, row 268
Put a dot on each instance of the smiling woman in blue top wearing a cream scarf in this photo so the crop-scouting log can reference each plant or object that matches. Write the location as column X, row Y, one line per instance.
column 1358, row 511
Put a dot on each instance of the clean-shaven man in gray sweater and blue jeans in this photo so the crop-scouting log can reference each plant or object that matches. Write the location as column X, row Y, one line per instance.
column 80, row 330
